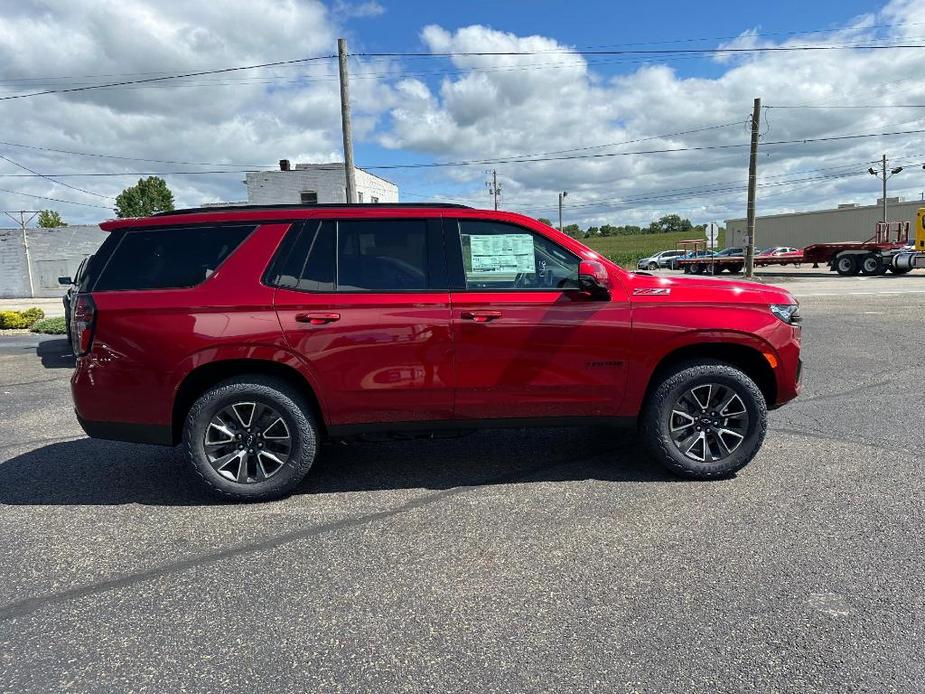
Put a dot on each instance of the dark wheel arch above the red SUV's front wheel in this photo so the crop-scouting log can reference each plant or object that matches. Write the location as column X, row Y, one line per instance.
column 747, row 358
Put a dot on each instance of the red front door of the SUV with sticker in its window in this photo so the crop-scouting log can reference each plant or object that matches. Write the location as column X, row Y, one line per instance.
column 529, row 343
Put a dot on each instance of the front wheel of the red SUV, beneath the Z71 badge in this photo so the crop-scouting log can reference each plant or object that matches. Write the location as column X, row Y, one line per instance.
column 674, row 388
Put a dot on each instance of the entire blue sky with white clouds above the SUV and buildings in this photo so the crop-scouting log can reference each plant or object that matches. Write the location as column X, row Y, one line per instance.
column 596, row 121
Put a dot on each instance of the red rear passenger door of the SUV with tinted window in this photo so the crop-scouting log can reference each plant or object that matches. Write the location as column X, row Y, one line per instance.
column 365, row 303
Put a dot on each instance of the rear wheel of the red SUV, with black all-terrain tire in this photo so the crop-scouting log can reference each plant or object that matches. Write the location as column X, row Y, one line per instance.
column 270, row 398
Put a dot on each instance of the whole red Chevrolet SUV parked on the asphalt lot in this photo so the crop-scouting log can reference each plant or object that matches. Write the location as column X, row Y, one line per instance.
column 250, row 334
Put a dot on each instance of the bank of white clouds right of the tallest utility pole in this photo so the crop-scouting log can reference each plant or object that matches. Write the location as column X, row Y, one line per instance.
column 499, row 106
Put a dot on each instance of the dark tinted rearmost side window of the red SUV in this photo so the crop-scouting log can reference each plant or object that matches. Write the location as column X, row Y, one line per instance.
column 169, row 258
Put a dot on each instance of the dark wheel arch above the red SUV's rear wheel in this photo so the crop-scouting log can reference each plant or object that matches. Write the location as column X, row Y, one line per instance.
column 203, row 377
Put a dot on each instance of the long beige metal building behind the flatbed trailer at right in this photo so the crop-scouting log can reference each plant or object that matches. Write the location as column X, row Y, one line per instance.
column 798, row 229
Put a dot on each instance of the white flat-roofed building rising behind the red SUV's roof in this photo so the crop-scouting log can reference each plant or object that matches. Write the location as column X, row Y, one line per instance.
column 311, row 184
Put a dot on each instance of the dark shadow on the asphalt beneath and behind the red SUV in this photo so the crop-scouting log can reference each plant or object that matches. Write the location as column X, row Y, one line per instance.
column 94, row 472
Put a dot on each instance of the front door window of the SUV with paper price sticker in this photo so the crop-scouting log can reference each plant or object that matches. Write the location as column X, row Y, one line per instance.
column 503, row 256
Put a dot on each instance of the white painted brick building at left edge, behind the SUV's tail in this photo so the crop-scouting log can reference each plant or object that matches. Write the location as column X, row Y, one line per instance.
column 54, row 252
